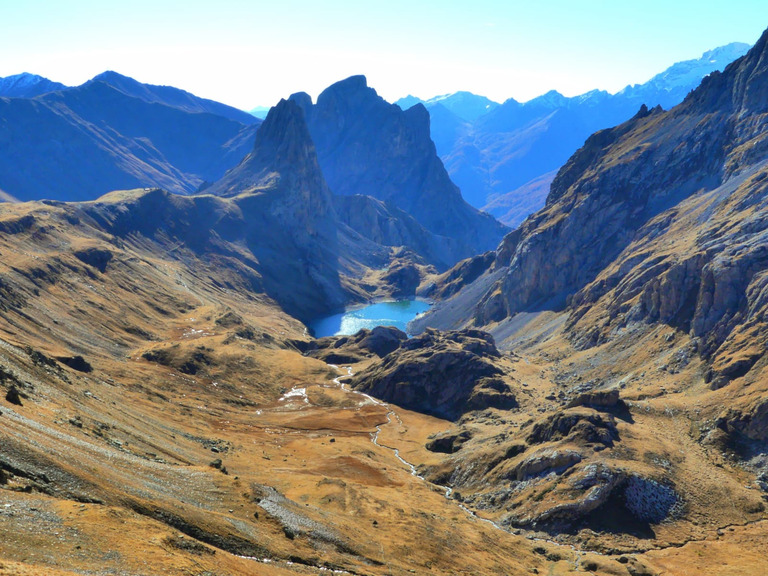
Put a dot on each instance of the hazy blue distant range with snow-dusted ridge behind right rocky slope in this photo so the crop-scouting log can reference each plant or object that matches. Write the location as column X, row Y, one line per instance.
column 515, row 149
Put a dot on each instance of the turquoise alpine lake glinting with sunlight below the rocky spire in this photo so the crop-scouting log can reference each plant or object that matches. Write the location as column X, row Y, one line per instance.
column 396, row 314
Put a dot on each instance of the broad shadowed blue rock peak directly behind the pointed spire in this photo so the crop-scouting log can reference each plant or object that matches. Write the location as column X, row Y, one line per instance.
column 370, row 147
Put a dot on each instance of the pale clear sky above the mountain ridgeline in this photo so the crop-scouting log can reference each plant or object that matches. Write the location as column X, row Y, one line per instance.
column 249, row 53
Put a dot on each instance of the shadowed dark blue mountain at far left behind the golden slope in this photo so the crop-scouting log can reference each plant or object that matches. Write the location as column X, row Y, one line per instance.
column 116, row 133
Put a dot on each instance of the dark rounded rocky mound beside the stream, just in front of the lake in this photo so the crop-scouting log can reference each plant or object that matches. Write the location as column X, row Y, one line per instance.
column 445, row 374
